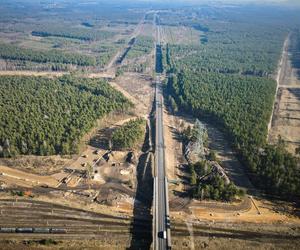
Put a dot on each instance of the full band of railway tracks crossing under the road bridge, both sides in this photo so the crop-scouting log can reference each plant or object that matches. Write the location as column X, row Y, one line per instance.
column 81, row 224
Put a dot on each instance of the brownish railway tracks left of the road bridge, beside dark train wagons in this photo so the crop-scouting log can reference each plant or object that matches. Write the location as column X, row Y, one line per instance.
column 31, row 215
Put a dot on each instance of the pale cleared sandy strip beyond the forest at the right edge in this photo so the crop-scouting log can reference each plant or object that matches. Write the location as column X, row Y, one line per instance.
column 285, row 120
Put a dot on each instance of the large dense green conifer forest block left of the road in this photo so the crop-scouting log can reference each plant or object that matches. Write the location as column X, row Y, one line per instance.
column 49, row 116
